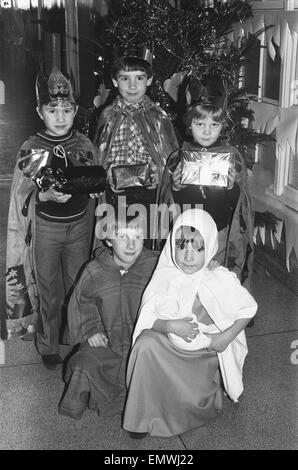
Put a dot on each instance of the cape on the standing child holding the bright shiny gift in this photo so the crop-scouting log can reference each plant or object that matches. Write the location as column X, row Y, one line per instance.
column 240, row 247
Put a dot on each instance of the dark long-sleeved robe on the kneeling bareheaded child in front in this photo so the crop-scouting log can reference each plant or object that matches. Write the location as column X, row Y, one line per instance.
column 103, row 301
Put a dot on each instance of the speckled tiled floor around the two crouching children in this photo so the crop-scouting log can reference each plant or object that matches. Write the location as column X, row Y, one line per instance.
column 266, row 416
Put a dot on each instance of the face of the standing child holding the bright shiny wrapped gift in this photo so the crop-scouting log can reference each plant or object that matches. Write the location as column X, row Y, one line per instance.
column 205, row 131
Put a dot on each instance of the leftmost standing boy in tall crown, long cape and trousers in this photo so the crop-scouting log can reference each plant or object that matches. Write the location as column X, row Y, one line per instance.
column 48, row 230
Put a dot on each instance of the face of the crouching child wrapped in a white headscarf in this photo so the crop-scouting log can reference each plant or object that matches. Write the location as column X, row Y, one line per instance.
column 189, row 250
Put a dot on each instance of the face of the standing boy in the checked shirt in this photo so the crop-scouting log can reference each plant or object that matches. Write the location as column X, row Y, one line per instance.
column 132, row 86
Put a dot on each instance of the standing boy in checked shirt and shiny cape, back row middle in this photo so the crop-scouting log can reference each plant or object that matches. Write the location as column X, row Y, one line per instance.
column 135, row 137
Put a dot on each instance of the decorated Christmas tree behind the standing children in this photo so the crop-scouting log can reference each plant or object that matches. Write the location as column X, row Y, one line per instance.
column 188, row 38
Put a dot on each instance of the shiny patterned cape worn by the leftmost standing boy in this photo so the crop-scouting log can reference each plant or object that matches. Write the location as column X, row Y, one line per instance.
column 21, row 290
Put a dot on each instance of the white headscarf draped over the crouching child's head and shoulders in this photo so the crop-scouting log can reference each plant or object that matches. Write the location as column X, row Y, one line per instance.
column 219, row 291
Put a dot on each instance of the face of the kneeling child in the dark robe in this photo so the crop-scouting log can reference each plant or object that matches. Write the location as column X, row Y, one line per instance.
column 127, row 244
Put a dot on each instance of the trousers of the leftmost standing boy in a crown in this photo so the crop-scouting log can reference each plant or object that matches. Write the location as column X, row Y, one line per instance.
column 60, row 250
